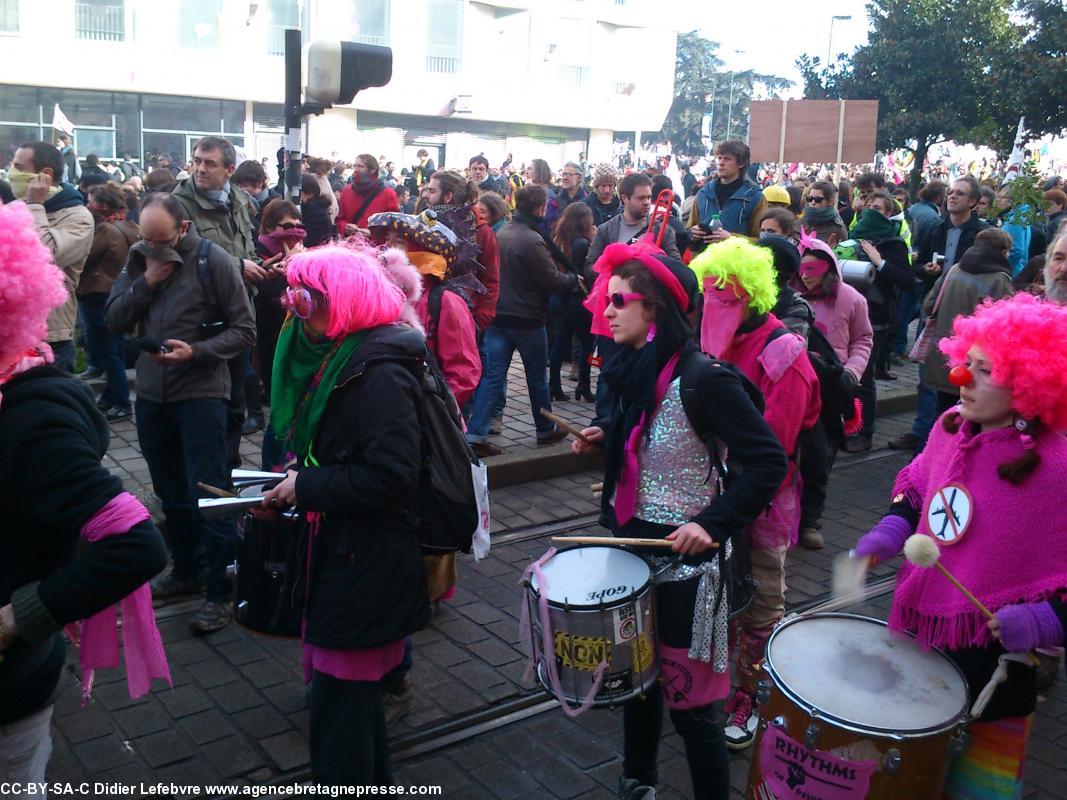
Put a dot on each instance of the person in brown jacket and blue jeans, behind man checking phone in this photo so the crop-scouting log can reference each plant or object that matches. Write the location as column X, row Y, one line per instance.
column 112, row 242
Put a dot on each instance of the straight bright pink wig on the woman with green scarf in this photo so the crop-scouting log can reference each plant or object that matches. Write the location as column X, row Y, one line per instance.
column 351, row 276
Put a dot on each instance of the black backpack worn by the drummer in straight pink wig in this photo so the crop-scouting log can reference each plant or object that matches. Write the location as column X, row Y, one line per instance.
column 447, row 508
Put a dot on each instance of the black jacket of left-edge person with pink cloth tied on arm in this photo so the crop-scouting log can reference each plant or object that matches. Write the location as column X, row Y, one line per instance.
column 52, row 484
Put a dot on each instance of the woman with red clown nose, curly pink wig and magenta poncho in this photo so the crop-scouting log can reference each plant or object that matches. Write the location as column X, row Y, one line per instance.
column 989, row 489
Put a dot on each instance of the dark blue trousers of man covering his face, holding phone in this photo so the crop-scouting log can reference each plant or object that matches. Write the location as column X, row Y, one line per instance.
column 185, row 443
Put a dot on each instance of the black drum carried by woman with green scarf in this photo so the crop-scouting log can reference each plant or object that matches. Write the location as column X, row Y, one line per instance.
column 269, row 586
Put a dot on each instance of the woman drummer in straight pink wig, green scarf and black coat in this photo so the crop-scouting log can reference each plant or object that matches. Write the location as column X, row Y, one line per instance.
column 346, row 405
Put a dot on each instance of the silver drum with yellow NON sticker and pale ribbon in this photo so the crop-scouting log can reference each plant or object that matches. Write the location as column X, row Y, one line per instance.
column 600, row 610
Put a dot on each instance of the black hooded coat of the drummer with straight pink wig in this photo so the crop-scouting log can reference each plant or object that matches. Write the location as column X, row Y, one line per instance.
column 368, row 586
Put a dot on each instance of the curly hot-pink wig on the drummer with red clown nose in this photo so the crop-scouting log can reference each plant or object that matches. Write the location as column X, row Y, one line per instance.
column 1025, row 339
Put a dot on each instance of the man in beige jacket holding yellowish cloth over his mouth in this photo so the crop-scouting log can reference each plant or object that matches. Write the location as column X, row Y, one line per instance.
column 63, row 225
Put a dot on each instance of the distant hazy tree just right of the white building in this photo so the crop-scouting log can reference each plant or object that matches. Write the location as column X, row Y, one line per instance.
column 703, row 87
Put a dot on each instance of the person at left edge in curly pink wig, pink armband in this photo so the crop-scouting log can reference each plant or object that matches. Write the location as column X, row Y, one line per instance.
column 75, row 543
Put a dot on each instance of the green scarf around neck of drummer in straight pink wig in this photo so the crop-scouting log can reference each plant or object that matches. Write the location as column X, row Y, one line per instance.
column 305, row 375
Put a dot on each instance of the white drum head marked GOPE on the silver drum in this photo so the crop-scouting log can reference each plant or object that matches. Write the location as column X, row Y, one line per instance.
column 594, row 575
